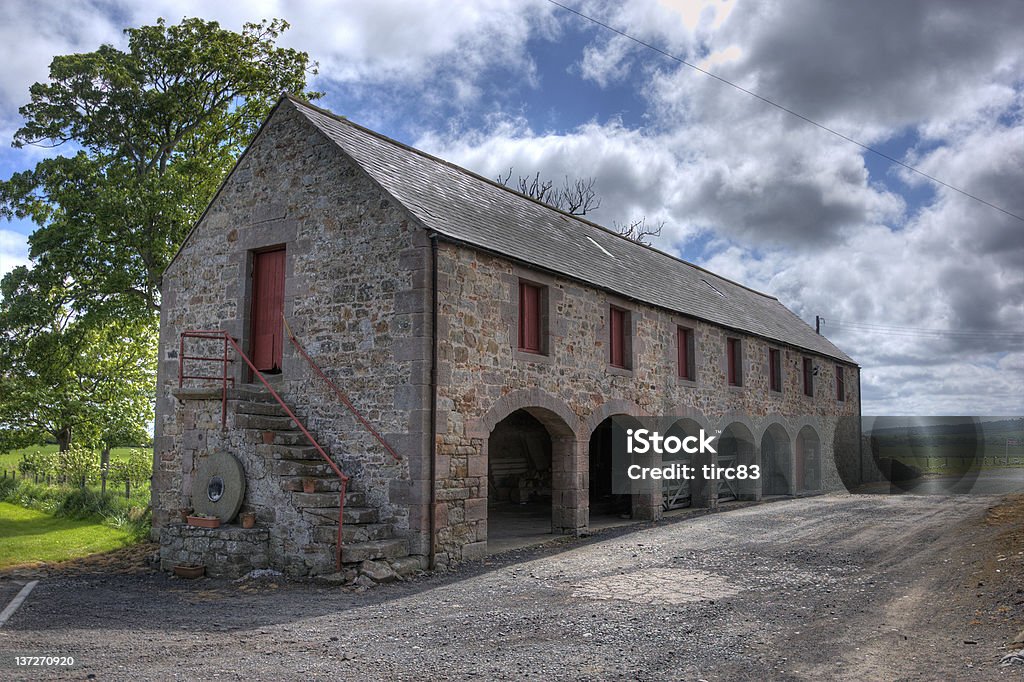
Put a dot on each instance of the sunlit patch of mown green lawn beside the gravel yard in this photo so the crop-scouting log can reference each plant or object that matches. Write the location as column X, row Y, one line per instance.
column 28, row 536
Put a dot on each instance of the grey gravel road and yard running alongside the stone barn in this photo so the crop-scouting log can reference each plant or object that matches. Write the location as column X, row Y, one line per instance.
column 833, row 587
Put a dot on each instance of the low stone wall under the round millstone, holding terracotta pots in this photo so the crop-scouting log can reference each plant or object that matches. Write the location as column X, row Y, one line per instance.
column 227, row 552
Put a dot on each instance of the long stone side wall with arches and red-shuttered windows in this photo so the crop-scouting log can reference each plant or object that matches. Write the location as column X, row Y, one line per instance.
column 484, row 378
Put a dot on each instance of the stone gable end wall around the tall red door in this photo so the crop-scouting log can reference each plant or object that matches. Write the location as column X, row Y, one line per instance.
column 356, row 294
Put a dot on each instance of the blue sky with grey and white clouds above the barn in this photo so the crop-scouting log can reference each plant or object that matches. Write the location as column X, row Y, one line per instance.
column 743, row 188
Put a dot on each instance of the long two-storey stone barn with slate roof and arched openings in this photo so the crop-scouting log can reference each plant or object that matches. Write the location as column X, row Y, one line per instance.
column 484, row 343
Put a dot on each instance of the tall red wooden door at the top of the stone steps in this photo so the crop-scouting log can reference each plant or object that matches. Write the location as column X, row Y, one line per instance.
column 268, row 311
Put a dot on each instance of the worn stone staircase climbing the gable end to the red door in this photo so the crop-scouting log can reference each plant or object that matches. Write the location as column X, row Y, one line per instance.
column 297, row 464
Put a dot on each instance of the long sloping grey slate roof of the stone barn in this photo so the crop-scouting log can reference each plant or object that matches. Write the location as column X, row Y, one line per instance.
column 474, row 210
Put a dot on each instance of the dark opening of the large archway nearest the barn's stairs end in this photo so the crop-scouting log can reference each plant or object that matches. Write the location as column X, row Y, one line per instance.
column 520, row 461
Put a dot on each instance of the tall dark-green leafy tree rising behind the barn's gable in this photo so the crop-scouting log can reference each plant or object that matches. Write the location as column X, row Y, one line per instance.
column 154, row 131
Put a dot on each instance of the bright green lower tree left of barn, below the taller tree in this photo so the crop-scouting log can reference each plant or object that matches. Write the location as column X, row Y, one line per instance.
column 69, row 378
